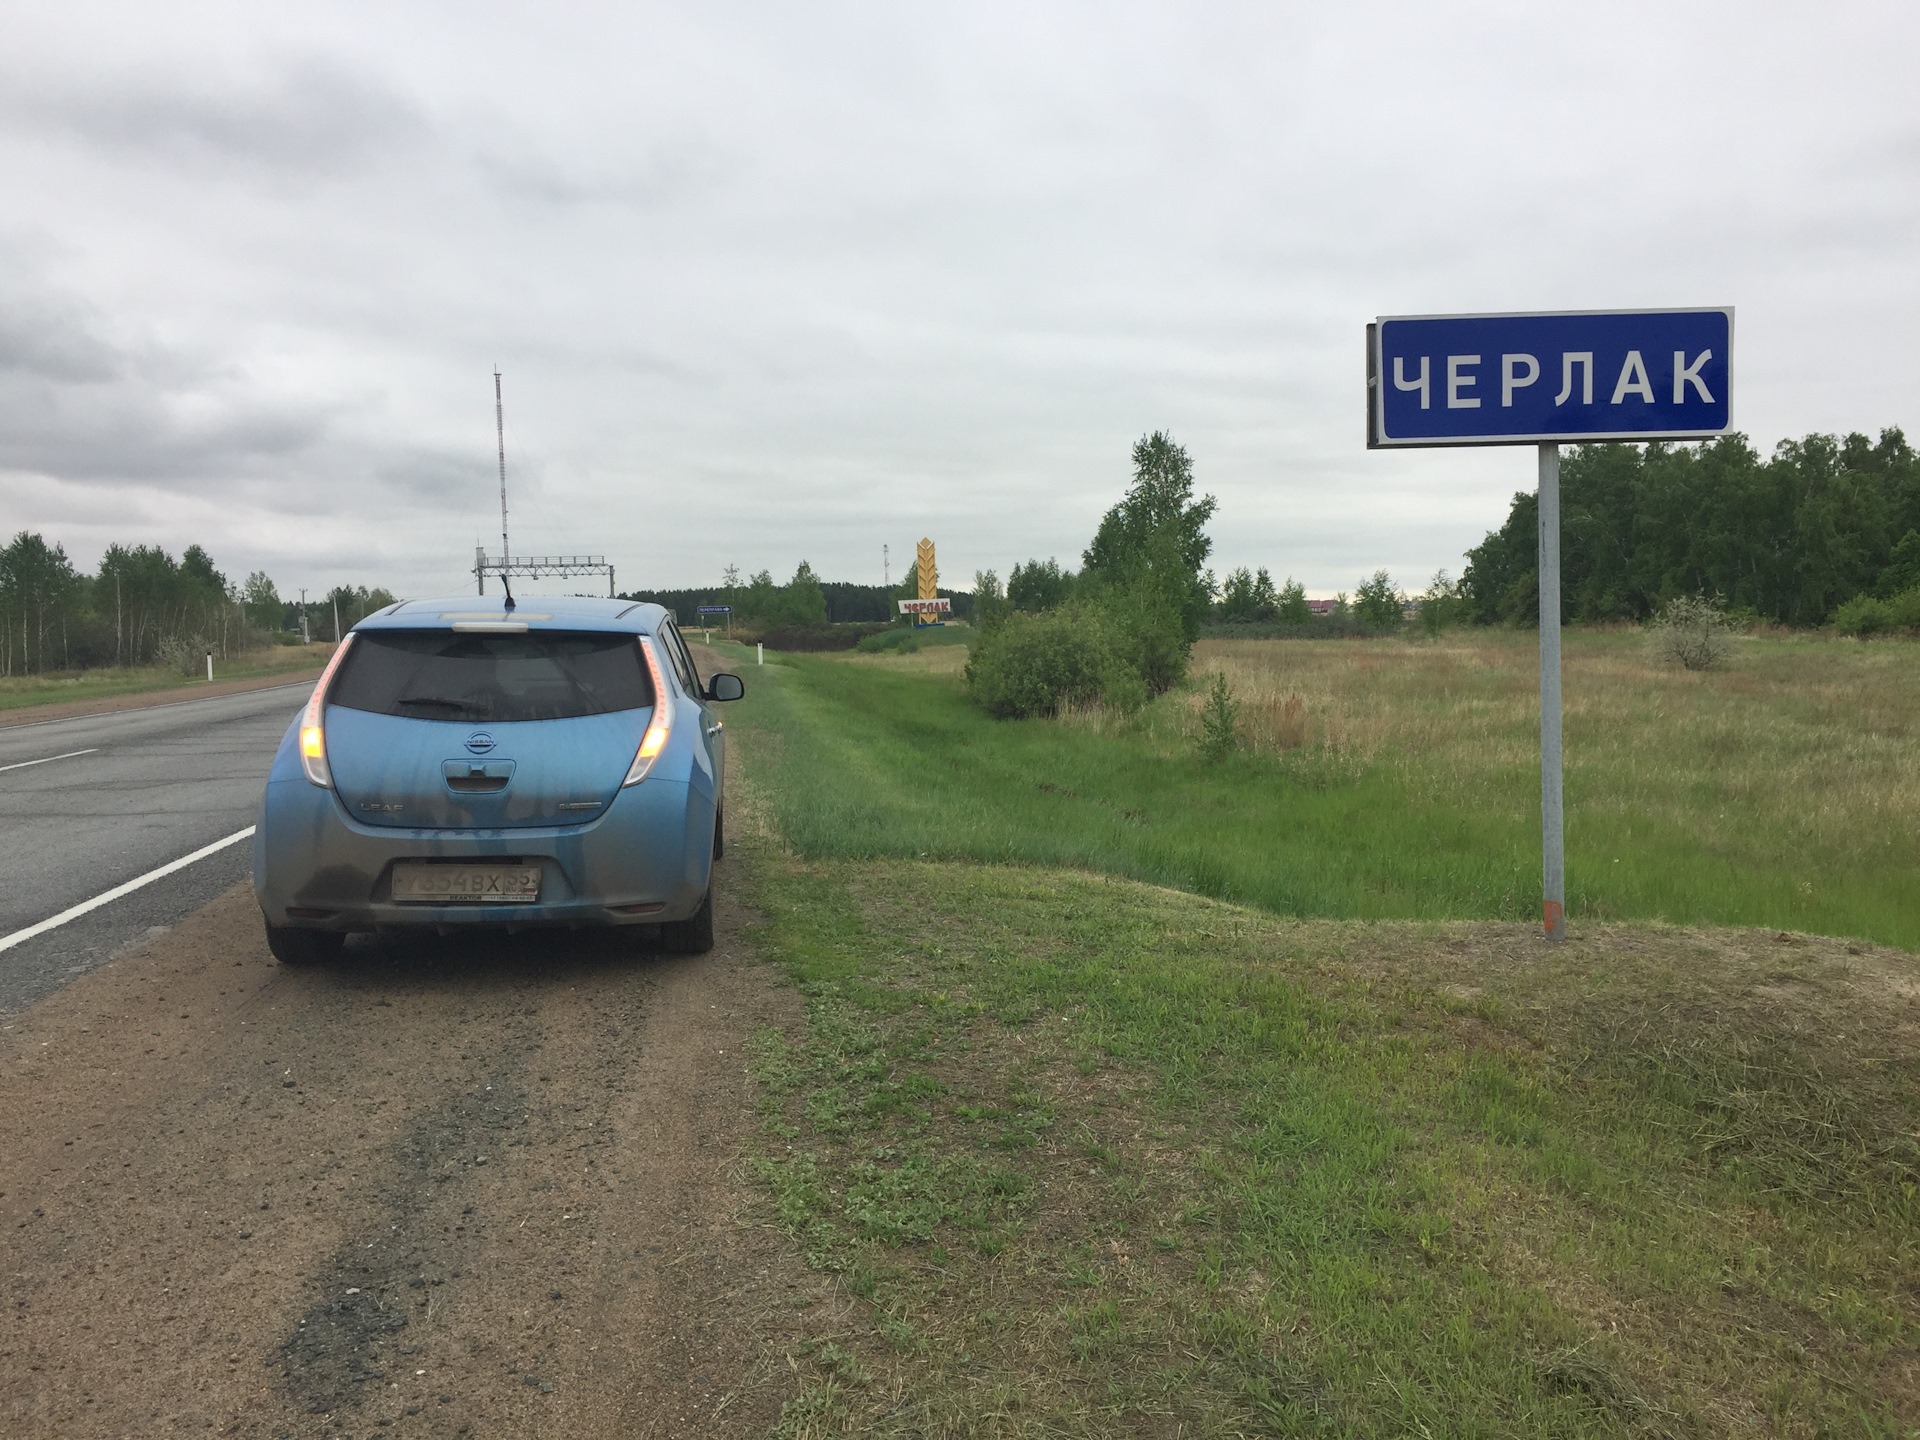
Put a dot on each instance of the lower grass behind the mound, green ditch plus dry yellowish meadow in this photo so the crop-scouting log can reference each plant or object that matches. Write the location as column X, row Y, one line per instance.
column 1395, row 780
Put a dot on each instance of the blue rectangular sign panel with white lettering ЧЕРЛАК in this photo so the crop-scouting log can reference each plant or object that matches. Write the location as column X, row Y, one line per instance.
column 1524, row 379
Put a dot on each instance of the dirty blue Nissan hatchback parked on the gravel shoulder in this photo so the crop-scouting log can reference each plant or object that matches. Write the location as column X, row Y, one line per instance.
column 473, row 765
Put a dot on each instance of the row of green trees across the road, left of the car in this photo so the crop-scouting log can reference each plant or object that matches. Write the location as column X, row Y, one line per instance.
column 141, row 606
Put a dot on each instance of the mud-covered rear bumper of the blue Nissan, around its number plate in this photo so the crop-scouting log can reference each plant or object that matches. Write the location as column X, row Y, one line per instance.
column 320, row 869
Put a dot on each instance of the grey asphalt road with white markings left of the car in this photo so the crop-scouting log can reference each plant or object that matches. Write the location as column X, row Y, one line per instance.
column 91, row 804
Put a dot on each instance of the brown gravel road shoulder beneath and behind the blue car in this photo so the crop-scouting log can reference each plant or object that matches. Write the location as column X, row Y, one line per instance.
column 437, row 1189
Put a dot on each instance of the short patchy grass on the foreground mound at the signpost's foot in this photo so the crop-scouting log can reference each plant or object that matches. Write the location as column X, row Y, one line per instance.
column 1099, row 1159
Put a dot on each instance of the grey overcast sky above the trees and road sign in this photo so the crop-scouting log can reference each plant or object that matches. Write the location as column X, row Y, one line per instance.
column 779, row 281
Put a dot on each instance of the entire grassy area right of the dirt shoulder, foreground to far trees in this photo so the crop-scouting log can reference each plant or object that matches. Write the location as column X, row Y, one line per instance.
column 1095, row 1157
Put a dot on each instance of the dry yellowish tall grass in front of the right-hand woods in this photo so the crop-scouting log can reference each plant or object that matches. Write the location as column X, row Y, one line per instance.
column 1813, row 740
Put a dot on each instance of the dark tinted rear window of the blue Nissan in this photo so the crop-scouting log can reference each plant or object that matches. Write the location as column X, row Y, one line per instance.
column 441, row 675
